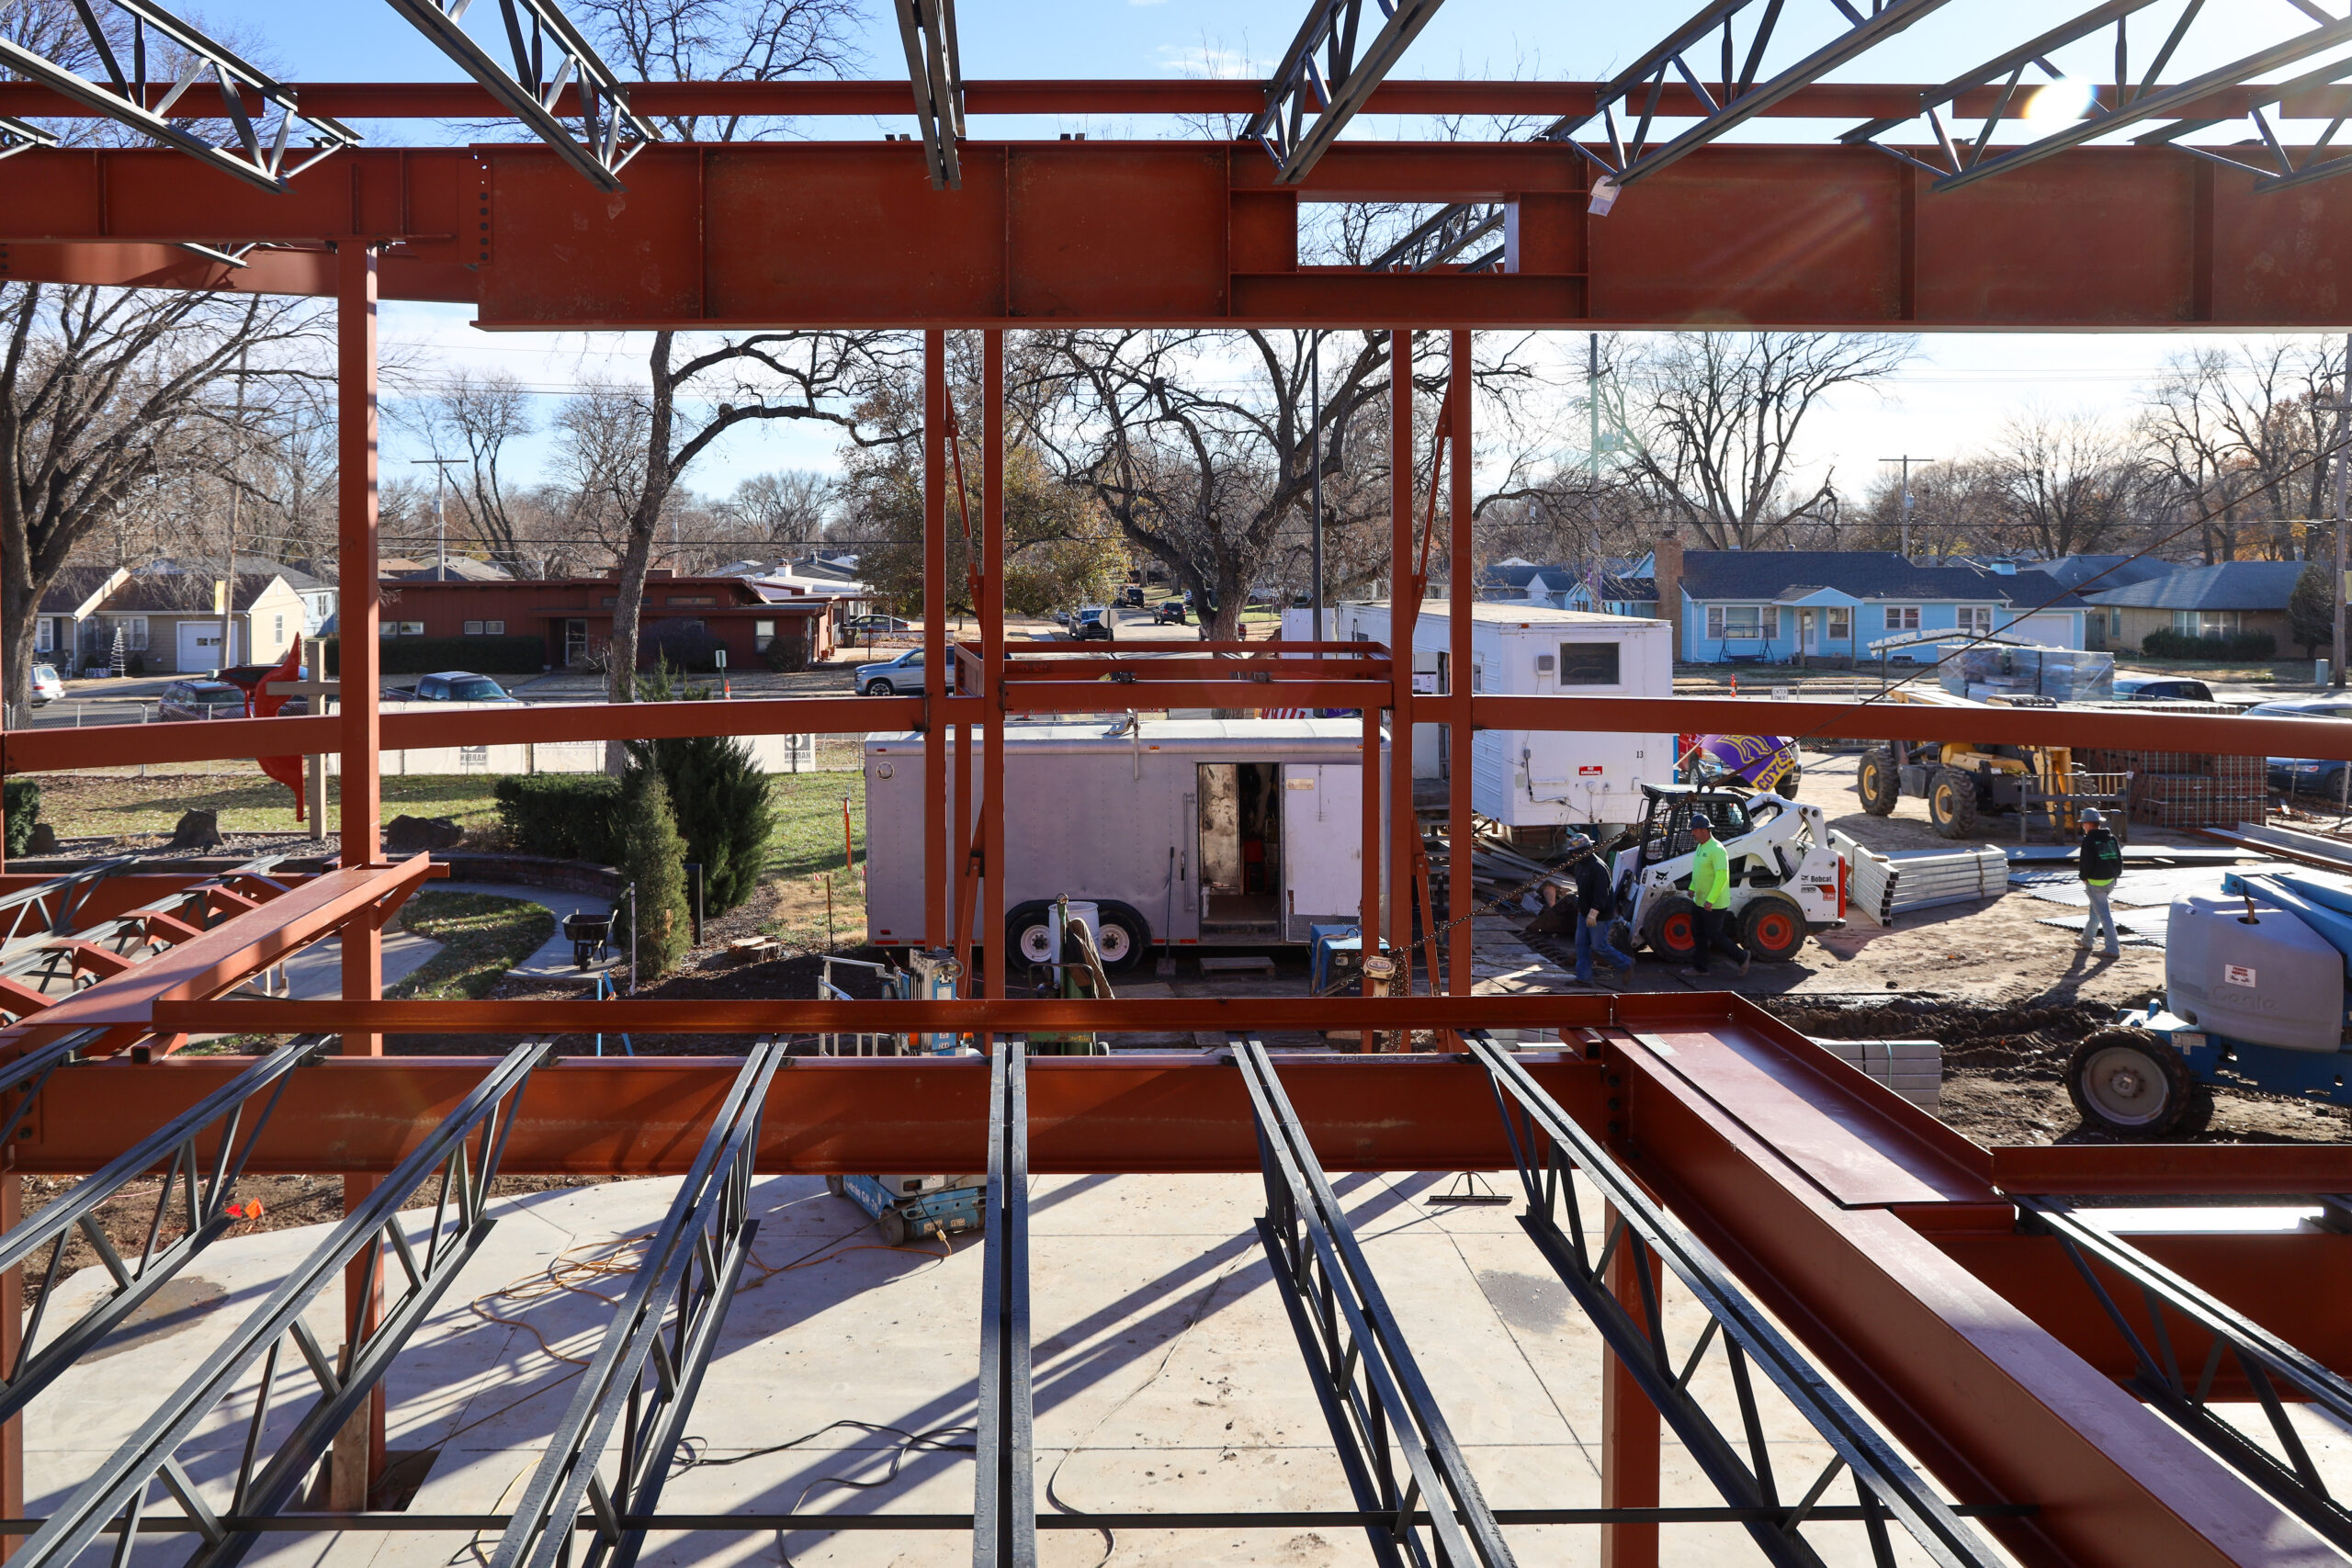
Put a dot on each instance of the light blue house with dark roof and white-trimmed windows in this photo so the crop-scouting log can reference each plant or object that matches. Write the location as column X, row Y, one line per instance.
column 1836, row 605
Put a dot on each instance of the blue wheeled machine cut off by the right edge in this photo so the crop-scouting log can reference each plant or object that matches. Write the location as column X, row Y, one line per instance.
column 2254, row 996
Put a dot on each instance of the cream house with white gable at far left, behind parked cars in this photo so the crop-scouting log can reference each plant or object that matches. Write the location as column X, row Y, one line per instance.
column 171, row 617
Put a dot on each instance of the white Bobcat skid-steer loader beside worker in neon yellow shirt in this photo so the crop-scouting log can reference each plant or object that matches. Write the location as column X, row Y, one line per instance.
column 1786, row 878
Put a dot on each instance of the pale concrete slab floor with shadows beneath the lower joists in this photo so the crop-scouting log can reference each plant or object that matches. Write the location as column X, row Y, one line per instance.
column 1165, row 1379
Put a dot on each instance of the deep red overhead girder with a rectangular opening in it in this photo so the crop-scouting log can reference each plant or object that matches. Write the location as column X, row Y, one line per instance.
column 853, row 234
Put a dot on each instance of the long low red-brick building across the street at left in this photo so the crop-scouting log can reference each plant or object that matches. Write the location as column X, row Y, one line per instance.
column 575, row 615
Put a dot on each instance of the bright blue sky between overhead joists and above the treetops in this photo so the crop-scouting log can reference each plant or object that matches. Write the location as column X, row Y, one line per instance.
column 1953, row 398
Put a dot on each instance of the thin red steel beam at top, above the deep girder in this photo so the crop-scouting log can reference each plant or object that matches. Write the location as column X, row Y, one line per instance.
column 1123, row 98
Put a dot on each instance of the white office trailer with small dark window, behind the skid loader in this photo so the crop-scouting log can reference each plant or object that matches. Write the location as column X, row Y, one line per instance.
column 1532, row 777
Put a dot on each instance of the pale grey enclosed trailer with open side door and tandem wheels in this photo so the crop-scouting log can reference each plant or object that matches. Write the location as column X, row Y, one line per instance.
column 1191, row 833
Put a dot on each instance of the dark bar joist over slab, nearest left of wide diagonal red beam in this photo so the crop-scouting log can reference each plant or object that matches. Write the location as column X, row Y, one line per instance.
column 1551, row 1151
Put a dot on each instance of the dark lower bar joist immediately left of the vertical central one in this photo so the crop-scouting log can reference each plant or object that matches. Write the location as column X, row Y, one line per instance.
column 655, row 1353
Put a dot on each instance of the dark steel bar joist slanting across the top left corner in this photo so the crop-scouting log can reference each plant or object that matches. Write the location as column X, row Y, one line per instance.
column 166, row 60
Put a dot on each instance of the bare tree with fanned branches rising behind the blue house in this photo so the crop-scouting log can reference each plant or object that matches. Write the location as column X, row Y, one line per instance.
column 1711, row 424
